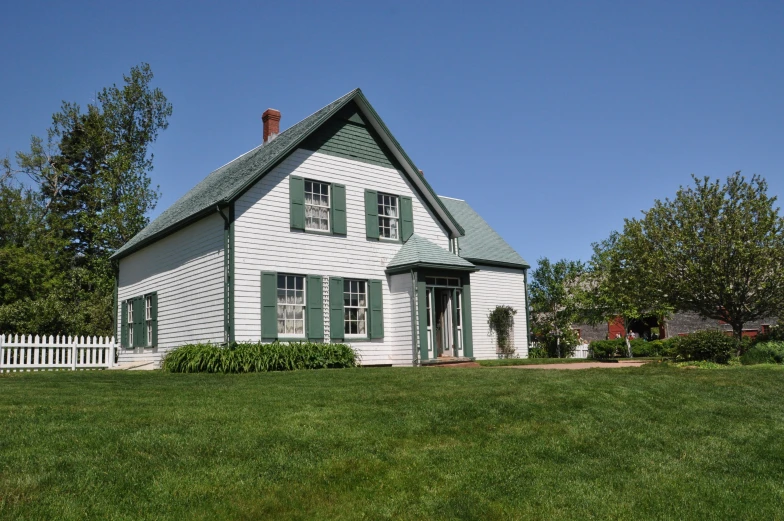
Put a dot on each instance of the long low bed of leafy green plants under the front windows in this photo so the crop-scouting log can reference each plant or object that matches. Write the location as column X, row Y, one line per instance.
column 258, row 357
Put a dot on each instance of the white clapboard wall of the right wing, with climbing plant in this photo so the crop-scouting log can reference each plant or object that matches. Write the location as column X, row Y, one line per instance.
column 491, row 287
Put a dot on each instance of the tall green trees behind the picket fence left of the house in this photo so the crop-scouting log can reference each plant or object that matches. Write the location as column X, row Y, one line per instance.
column 70, row 201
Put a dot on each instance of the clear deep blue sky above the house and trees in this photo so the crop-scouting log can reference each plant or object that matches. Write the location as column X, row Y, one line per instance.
column 555, row 120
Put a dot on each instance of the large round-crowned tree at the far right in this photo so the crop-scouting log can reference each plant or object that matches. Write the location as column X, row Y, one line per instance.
column 716, row 249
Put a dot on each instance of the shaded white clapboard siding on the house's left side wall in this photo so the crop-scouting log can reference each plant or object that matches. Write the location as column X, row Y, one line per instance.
column 186, row 270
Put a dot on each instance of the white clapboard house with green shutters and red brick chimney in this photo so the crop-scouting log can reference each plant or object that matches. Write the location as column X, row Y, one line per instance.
column 325, row 232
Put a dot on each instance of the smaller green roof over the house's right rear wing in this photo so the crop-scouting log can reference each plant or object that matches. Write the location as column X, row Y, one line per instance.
column 481, row 244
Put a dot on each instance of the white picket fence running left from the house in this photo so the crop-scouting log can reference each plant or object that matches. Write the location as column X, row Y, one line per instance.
column 55, row 352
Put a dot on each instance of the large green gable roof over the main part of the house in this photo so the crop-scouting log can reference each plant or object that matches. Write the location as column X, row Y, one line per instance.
column 225, row 184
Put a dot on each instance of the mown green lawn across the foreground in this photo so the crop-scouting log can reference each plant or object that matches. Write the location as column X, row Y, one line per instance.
column 460, row 443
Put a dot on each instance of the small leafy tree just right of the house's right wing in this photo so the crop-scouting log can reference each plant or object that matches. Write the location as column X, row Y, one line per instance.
column 555, row 296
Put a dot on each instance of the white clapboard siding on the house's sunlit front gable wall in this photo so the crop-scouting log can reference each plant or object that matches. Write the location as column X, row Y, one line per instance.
column 265, row 242
